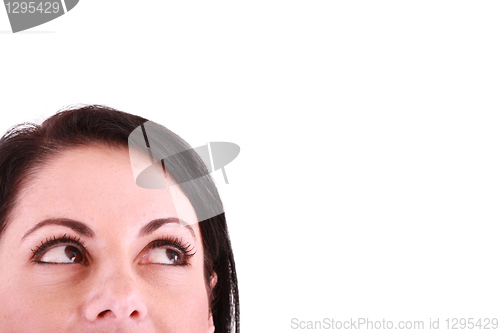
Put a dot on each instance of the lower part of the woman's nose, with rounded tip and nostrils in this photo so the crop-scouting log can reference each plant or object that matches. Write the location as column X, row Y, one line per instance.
column 116, row 298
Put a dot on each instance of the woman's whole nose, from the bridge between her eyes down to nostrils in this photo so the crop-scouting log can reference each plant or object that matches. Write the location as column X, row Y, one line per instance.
column 115, row 294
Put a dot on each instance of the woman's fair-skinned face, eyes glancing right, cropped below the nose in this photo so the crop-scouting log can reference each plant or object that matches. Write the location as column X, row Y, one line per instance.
column 87, row 250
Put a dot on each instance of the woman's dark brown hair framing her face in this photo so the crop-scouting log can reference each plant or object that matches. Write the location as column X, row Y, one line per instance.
column 26, row 147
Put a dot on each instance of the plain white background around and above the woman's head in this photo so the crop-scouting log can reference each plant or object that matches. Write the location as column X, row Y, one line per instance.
column 368, row 179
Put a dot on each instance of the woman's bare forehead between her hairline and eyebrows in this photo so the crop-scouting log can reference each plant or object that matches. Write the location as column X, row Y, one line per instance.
column 97, row 184
